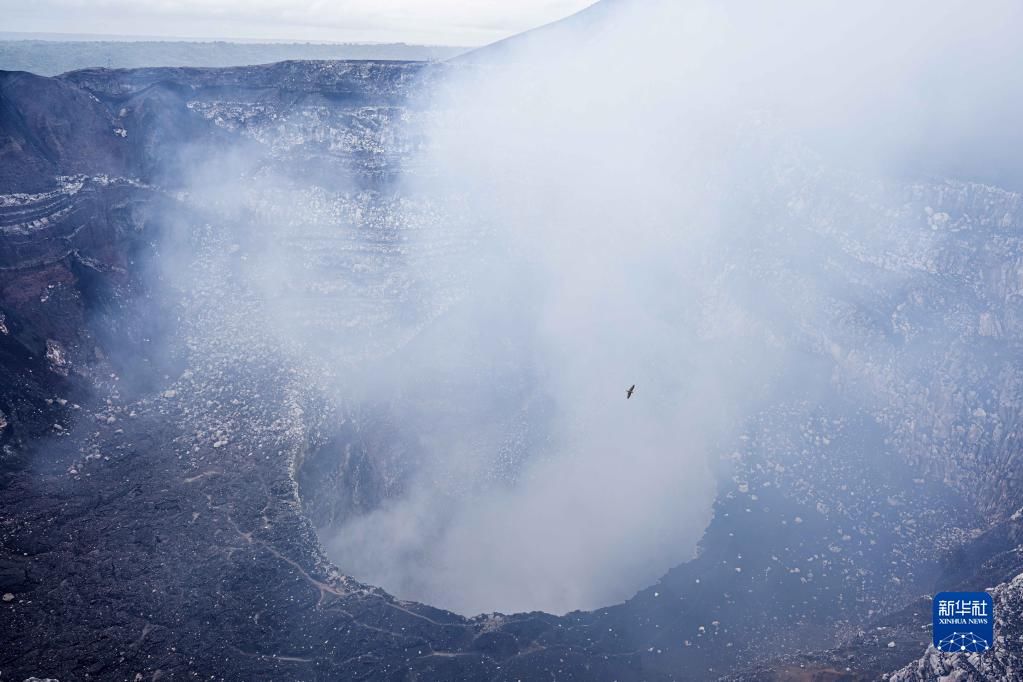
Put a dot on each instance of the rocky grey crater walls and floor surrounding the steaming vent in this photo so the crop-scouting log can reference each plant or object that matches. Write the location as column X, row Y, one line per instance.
column 171, row 462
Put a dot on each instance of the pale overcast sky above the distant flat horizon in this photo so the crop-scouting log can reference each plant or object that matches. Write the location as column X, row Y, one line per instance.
column 421, row 22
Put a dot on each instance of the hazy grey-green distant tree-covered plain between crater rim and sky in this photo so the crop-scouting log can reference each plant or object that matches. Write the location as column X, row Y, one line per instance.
column 52, row 58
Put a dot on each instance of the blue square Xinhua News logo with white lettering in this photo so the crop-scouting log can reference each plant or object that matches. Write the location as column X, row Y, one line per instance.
column 964, row 622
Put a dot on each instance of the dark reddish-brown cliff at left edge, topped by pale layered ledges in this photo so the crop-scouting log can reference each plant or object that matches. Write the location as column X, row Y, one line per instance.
column 66, row 257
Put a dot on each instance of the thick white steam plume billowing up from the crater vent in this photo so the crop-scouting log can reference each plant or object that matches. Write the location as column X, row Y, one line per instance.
column 604, row 204
